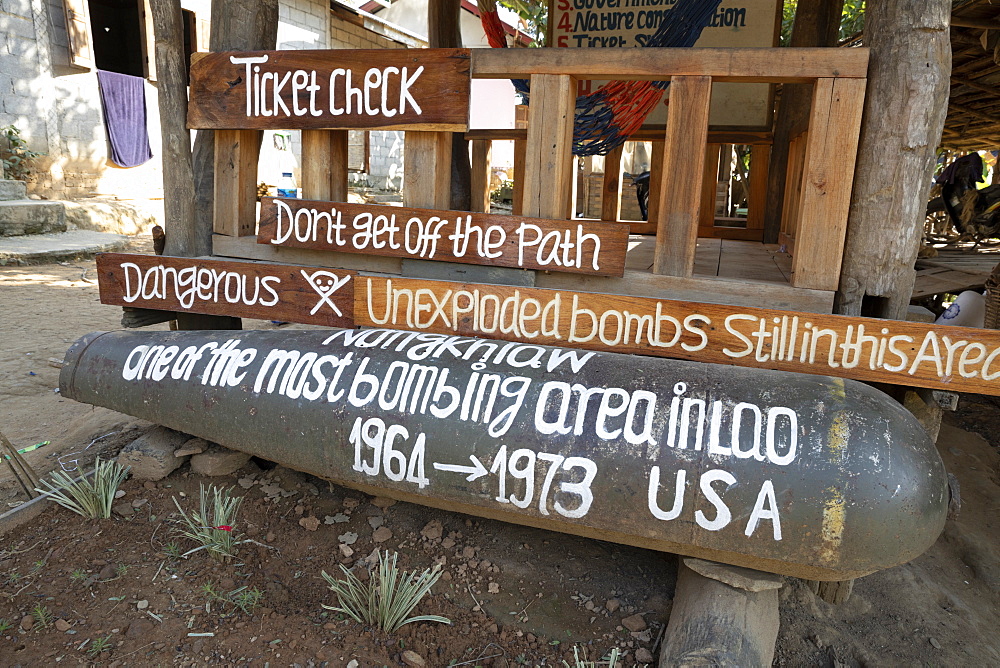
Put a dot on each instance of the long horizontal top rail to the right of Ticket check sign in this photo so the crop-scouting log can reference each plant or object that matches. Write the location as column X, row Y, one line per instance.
column 799, row 65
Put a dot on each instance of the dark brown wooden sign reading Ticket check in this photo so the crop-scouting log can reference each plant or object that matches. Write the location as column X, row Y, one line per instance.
column 406, row 89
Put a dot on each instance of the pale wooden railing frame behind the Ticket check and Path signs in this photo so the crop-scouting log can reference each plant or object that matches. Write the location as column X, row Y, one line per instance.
column 675, row 198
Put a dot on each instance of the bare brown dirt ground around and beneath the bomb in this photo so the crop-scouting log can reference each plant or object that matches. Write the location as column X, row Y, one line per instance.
column 516, row 596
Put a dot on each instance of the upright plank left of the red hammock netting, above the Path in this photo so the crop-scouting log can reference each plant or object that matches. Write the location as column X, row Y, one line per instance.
column 548, row 172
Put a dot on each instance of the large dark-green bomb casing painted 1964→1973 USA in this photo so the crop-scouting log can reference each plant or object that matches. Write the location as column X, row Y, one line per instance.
column 809, row 476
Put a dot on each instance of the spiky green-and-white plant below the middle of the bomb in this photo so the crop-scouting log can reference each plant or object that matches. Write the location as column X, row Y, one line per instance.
column 386, row 600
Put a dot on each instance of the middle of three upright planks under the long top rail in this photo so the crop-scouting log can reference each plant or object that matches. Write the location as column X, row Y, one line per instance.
column 683, row 155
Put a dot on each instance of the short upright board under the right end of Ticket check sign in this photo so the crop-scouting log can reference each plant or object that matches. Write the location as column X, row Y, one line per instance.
column 427, row 170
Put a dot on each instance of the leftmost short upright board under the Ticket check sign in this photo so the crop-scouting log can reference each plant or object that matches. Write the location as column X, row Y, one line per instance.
column 235, row 205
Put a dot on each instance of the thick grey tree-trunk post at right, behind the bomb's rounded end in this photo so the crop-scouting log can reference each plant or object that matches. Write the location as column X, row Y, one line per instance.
column 905, row 108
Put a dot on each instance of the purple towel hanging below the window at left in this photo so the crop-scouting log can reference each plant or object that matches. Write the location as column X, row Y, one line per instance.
column 123, row 99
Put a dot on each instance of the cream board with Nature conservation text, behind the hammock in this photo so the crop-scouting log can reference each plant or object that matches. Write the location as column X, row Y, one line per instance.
column 631, row 23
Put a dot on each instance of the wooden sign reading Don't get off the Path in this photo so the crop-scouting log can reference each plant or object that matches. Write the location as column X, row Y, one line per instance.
column 449, row 236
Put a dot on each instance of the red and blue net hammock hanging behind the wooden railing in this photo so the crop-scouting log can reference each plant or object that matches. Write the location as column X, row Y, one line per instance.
column 606, row 118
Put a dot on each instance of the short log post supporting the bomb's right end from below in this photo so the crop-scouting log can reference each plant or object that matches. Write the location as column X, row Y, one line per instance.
column 722, row 616
